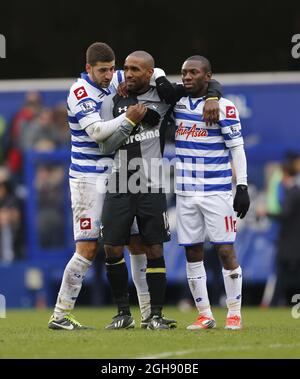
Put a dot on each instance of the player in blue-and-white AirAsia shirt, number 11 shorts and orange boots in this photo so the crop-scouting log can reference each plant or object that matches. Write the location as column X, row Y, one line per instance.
column 204, row 201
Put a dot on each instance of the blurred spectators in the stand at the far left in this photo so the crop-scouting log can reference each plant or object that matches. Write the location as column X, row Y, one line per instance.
column 34, row 127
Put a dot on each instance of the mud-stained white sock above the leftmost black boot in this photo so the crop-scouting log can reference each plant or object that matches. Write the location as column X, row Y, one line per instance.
column 71, row 285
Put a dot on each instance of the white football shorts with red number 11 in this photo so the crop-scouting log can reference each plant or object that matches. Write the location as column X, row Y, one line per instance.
column 201, row 216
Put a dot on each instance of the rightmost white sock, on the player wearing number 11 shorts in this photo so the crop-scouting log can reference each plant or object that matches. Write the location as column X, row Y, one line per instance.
column 233, row 288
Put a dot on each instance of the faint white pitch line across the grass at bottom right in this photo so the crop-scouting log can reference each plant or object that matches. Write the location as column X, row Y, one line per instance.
column 220, row 348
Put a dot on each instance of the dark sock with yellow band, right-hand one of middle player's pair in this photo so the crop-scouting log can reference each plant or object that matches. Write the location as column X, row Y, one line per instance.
column 156, row 280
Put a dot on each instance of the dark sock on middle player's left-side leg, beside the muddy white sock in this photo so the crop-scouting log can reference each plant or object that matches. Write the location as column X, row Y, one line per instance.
column 117, row 275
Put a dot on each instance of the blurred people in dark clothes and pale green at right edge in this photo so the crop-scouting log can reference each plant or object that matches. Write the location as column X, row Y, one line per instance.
column 282, row 206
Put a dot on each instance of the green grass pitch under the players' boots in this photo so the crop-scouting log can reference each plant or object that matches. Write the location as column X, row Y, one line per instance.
column 267, row 333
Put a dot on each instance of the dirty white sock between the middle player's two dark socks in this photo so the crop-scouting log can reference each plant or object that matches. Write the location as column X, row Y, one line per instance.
column 138, row 271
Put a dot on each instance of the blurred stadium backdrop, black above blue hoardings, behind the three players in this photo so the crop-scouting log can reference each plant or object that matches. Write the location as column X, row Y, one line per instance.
column 250, row 50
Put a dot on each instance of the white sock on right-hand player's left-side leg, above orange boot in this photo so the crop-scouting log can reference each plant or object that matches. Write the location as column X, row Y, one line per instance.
column 196, row 277
